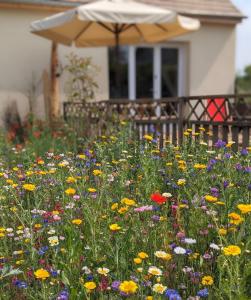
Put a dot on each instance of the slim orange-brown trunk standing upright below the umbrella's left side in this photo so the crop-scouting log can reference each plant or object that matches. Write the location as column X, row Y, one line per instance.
column 54, row 103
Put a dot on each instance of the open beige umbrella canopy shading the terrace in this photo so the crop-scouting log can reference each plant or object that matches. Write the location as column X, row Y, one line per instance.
column 113, row 22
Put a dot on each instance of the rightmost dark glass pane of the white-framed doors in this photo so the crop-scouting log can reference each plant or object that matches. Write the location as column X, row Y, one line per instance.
column 169, row 73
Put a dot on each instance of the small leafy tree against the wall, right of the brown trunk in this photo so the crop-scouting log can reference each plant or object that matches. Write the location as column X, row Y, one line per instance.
column 81, row 85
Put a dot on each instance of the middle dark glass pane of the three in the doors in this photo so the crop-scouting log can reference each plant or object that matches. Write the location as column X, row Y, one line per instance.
column 144, row 72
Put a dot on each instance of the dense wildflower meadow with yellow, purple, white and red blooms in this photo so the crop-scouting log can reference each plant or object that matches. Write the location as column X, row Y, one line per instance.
column 116, row 217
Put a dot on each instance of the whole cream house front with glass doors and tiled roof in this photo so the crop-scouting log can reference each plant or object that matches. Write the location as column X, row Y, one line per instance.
column 199, row 63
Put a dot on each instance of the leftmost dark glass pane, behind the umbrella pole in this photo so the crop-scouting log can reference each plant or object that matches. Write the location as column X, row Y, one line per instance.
column 118, row 72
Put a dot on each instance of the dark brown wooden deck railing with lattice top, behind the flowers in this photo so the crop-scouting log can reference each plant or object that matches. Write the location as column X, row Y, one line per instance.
column 226, row 117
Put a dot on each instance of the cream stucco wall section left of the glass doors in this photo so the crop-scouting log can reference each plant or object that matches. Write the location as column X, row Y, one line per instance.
column 24, row 56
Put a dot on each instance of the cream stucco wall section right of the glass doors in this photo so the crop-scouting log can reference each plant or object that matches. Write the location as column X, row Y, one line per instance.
column 211, row 59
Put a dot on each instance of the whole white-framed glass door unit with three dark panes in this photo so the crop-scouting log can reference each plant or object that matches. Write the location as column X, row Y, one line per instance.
column 148, row 72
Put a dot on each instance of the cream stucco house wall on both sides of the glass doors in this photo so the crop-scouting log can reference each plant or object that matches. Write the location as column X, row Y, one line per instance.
column 210, row 61
